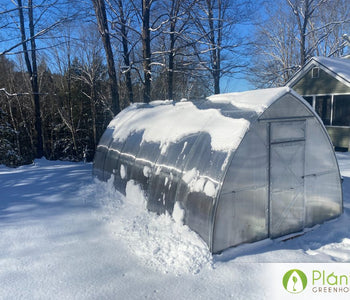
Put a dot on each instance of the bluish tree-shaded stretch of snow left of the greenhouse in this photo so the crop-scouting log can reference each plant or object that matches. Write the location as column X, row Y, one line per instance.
column 42, row 189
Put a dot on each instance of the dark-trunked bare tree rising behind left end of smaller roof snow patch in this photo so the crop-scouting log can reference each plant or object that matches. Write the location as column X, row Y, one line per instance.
column 220, row 46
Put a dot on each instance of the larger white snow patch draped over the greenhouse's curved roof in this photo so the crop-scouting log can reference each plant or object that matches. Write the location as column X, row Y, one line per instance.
column 169, row 122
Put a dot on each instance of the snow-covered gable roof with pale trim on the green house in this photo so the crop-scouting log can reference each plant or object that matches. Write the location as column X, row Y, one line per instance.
column 336, row 67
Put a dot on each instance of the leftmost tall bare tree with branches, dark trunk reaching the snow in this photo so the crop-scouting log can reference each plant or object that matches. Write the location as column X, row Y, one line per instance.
column 32, row 21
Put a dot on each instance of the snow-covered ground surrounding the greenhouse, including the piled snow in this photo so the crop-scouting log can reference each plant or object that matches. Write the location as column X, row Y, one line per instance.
column 65, row 236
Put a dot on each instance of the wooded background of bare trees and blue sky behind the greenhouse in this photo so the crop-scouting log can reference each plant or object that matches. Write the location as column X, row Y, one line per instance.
column 68, row 67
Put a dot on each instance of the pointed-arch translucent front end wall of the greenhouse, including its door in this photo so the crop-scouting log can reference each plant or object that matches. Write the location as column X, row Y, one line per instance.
column 283, row 178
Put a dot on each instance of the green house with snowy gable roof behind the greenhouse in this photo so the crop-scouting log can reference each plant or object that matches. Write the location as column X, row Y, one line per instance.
column 325, row 83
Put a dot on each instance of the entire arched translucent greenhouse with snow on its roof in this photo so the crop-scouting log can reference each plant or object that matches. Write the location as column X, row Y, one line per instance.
column 242, row 166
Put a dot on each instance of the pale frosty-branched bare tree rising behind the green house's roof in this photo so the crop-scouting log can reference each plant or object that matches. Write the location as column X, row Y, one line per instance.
column 293, row 32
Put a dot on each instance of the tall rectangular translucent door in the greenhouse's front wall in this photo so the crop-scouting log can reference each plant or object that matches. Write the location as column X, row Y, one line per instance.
column 286, row 199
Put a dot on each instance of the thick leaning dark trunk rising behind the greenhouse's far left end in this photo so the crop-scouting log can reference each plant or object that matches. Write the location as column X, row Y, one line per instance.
column 100, row 11
